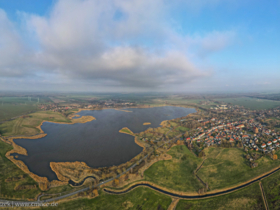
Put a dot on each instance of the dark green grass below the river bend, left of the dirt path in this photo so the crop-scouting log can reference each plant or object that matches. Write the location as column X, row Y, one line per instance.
column 139, row 198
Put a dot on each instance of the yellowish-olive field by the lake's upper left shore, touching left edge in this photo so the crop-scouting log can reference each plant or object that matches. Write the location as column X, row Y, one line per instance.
column 27, row 126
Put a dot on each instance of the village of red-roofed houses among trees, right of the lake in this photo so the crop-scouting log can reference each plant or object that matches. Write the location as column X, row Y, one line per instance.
column 249, row 135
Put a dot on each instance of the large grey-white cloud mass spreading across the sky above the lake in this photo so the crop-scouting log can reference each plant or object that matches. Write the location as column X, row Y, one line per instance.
column 125, row 43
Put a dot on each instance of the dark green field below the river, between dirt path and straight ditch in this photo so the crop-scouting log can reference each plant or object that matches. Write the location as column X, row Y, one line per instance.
column 249, row 198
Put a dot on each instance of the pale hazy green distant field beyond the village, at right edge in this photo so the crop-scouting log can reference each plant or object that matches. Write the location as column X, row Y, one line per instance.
column 251, row 103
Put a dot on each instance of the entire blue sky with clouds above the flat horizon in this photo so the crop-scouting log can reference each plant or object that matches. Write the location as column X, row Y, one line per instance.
column 140, row 45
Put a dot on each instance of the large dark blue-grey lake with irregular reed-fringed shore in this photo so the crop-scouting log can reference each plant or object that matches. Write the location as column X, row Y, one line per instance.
column 97, row 143
